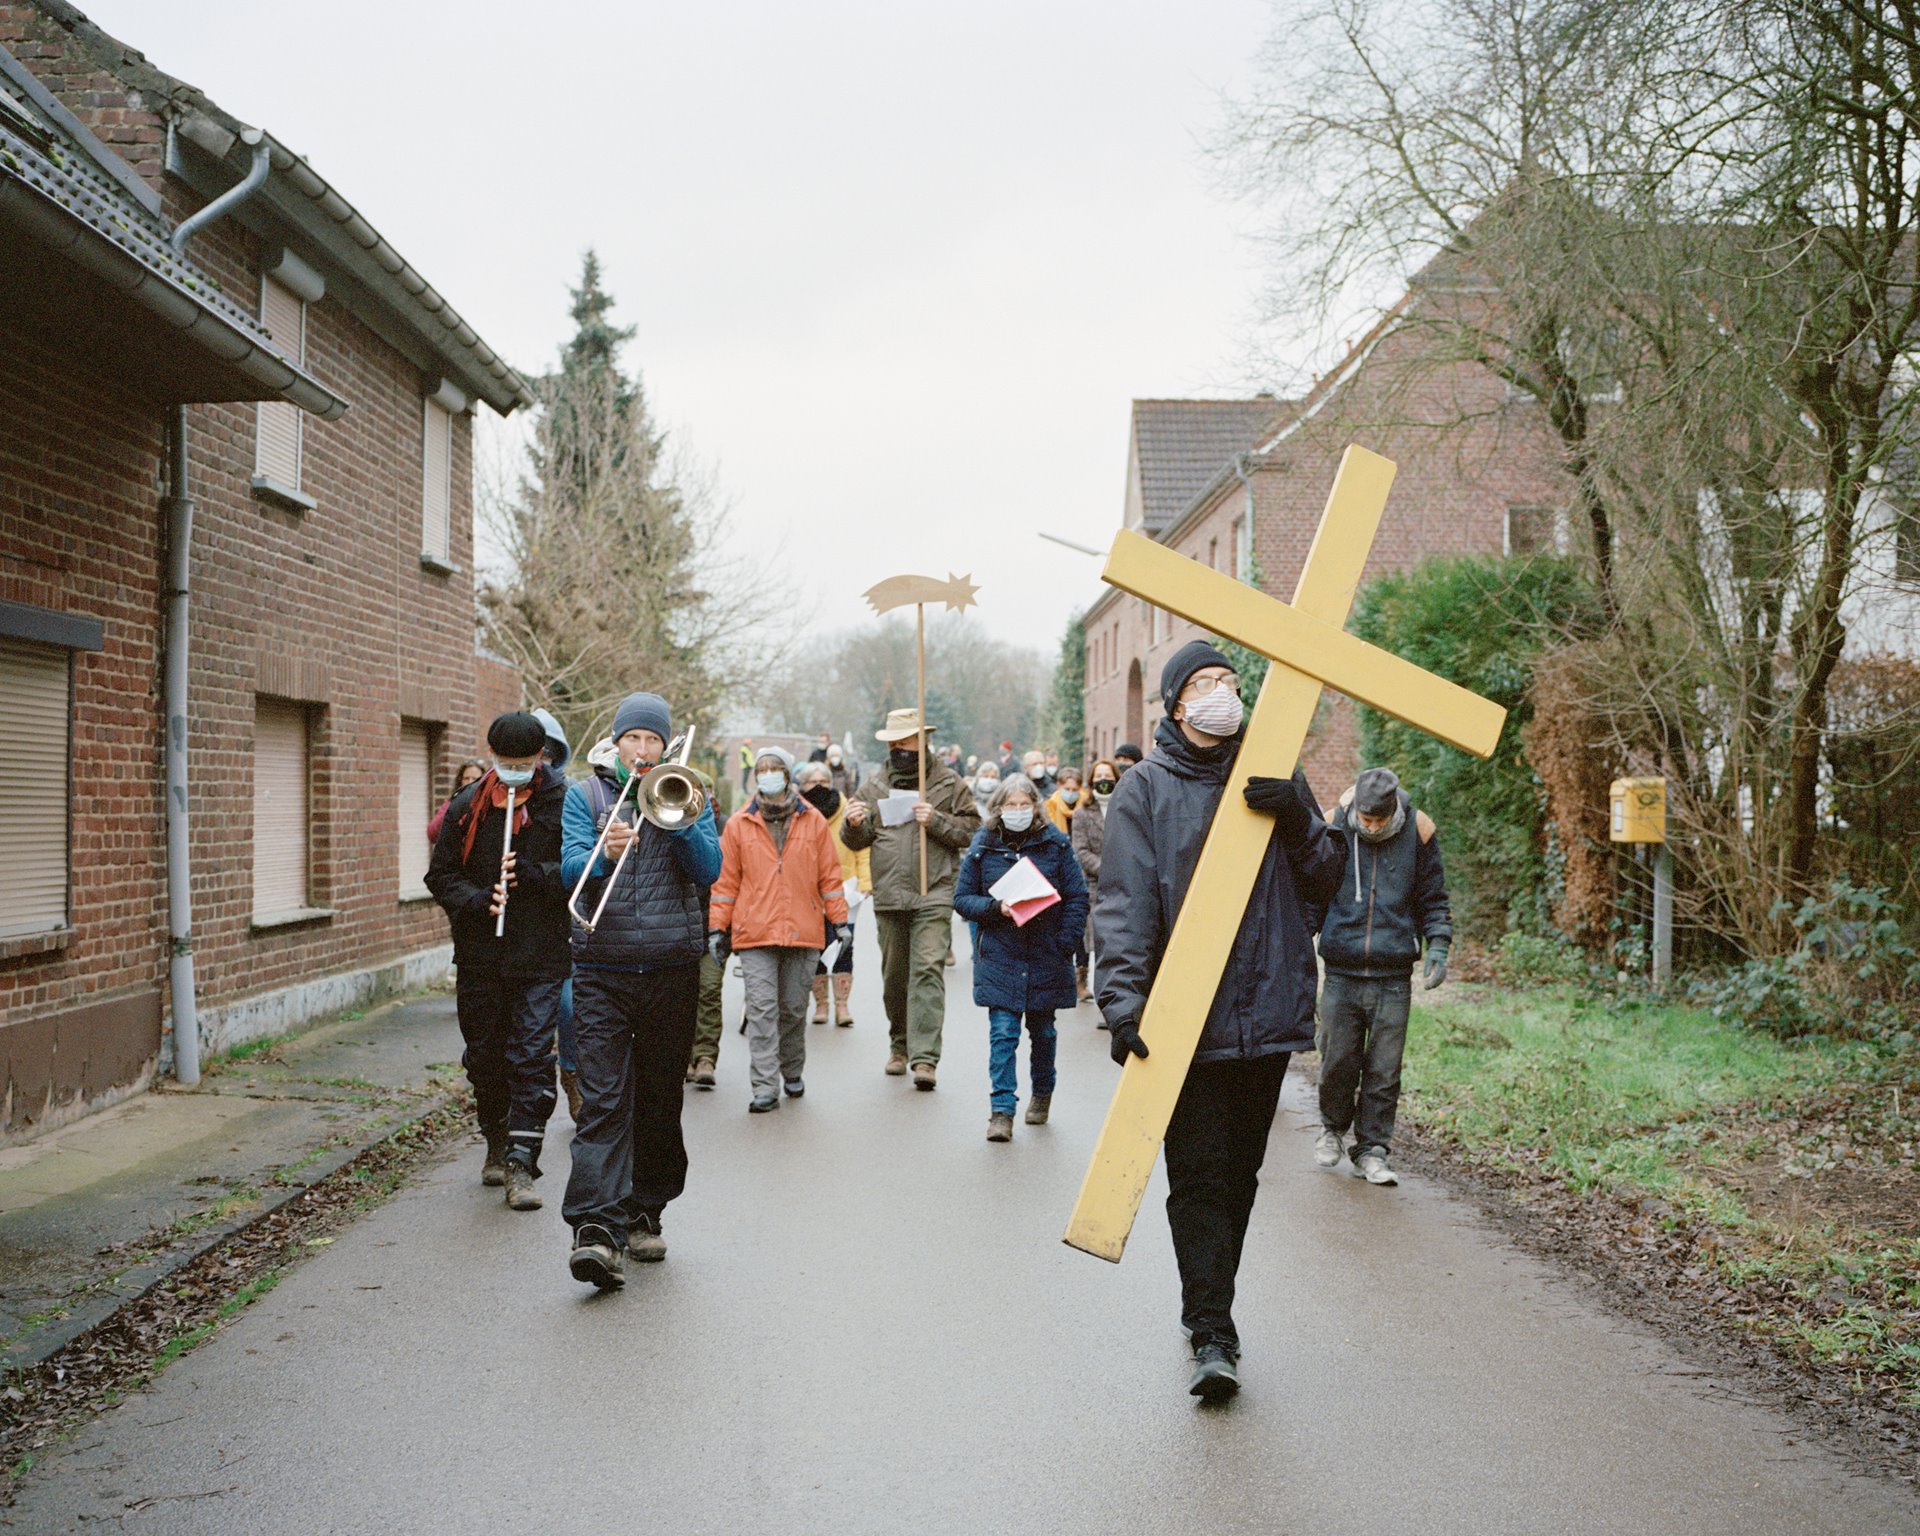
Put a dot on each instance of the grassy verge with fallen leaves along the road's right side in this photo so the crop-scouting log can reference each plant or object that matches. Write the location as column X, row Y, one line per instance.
column 1762, row 1188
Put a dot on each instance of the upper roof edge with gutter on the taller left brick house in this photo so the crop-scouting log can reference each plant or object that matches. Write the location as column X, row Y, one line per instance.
column 208, row 153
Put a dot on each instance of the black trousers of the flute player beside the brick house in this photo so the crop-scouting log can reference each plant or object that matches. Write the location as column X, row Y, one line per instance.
column 508, row 1024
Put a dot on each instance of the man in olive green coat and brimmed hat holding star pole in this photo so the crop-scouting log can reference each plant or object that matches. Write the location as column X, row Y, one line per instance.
column 915, row 930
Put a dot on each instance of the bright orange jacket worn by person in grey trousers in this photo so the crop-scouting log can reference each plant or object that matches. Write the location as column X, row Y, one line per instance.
column 779, row 898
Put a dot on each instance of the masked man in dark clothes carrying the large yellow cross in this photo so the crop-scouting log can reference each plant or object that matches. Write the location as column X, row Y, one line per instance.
column 1264, row 1007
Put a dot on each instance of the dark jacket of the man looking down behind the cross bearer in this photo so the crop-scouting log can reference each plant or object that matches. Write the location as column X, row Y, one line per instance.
column 1391, row 898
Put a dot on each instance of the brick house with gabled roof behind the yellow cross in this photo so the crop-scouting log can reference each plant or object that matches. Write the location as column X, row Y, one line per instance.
column 1477, row 473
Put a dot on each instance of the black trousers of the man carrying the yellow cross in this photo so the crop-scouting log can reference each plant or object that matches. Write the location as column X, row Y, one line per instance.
column 1216, row 1141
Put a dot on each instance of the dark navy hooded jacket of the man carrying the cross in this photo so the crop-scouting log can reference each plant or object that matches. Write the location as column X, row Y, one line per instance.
column 1157, row 823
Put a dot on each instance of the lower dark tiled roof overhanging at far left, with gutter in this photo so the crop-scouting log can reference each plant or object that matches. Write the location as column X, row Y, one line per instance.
column 82, row 239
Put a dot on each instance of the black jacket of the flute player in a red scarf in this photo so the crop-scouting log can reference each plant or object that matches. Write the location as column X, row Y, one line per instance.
column 537, row 905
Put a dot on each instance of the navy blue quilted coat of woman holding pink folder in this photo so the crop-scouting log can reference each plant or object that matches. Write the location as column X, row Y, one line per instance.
column 1022, row 969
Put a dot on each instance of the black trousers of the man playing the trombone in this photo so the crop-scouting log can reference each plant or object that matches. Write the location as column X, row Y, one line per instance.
column 633, row 1034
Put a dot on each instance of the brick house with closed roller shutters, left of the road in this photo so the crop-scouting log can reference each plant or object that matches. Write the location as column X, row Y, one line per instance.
column 325, row 523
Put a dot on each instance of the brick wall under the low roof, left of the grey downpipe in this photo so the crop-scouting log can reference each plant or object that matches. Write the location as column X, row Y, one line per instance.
column 82, row 535
